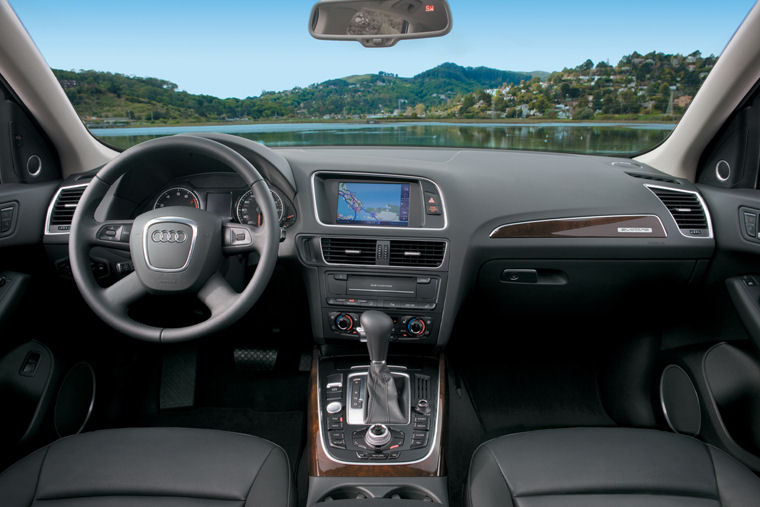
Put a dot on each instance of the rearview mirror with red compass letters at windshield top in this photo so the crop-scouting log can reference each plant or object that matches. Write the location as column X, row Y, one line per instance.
column 379, row 23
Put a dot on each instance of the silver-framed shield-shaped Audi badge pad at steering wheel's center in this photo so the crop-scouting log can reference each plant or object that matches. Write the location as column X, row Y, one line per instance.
column 169, row 243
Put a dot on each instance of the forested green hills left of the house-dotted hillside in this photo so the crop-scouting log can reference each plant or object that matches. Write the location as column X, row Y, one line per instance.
column 116, row 98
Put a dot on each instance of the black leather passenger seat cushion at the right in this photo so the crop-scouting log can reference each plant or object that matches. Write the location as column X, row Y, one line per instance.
column 617, row 467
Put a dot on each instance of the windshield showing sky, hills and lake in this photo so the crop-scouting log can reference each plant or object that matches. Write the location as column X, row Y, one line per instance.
column 600, row 78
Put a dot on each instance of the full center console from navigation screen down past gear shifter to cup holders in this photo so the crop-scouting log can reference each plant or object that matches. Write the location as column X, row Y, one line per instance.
column 378, row 273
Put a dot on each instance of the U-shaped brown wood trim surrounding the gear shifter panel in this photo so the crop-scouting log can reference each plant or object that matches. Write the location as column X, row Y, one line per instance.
column 321, row 465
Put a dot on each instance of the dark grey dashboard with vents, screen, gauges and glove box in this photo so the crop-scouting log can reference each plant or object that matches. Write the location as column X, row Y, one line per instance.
column 417, row 231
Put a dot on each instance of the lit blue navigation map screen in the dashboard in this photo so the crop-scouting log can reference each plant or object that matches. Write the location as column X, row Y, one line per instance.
column 373, row 204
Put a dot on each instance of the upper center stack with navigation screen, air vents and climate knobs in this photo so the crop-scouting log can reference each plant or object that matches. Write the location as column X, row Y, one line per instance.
column 366, row 259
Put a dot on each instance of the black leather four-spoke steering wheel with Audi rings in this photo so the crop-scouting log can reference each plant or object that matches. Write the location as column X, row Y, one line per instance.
column 176, row 249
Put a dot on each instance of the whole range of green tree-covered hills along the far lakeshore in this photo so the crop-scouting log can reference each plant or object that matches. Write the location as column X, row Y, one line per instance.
column 651, row 86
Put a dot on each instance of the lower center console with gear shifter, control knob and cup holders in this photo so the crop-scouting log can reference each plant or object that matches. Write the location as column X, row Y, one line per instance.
column 376, row 424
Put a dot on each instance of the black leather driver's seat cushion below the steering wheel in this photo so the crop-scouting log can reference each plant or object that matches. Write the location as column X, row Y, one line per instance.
column 150, row 467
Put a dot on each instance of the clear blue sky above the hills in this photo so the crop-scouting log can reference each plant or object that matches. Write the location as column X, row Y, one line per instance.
column 240, row 48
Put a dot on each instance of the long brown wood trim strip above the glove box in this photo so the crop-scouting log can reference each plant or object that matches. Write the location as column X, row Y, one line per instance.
column 623, row 226
